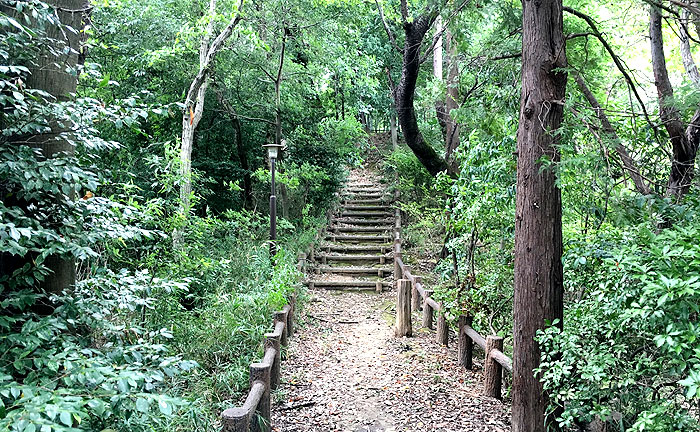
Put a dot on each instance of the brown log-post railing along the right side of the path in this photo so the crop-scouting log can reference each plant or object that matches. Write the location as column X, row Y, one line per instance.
column 410, row 289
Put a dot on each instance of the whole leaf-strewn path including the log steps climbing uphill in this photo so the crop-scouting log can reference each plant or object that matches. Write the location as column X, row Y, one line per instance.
column 346, row 371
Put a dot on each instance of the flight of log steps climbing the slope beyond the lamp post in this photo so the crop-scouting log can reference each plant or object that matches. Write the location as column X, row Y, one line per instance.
column 357, row 251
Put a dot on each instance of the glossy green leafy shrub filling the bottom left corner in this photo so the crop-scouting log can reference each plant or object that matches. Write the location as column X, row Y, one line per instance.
column 91, row 363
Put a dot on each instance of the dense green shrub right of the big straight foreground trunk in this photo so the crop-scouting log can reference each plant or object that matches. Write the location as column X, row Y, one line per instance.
column 629, row 344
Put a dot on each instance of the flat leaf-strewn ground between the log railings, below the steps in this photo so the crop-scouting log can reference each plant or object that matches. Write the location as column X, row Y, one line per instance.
column 345, row 371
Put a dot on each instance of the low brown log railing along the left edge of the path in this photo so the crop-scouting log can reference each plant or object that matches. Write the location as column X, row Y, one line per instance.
column 254, row 415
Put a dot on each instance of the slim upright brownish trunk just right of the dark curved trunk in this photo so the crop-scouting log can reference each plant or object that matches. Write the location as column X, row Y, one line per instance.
column 452, row 128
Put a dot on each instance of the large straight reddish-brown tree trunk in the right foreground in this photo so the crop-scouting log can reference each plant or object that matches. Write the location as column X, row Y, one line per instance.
column 538, row 236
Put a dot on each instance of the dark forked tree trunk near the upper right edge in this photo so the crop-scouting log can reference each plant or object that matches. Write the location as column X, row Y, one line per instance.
column 684, row 140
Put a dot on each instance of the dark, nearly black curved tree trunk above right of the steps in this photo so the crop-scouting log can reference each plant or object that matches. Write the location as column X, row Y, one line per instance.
column 405, row 91
